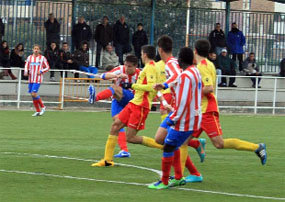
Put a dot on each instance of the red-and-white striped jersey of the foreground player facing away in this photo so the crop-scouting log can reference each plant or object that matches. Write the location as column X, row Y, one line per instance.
column 187, row 113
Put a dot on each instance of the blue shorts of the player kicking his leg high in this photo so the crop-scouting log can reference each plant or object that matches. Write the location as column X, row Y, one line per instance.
column 118, row 106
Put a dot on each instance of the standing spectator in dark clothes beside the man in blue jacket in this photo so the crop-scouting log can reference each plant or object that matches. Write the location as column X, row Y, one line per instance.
column 217, row 39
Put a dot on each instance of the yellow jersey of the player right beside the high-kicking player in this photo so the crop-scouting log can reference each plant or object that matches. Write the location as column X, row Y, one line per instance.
column 144, row 91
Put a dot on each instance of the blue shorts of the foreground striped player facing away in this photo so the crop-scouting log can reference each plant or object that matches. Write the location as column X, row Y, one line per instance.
column 176, row 138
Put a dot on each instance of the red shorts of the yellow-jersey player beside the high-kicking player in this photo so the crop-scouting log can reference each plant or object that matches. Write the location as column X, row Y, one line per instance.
column 134, row 116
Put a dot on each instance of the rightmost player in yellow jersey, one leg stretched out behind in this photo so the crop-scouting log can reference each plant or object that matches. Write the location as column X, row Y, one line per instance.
column 210, row 119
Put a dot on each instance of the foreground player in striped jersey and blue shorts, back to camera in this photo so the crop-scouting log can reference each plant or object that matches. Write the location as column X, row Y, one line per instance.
column 183, row 121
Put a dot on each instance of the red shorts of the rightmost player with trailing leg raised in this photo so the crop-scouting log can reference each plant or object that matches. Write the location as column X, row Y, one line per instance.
column 210, row 124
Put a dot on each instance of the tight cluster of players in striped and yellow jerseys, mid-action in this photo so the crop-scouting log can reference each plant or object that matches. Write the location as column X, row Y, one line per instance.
column 185, row 90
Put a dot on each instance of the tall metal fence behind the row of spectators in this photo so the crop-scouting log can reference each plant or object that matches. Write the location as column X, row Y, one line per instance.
column 265, row 32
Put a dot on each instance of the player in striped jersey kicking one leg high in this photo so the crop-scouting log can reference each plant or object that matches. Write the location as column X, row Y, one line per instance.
column 125, row 75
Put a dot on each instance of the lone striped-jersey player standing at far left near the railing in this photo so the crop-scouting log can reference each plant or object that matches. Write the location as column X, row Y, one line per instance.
column 36, row 65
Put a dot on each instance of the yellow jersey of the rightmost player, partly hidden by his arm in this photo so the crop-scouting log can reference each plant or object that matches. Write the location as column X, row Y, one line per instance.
column 208, row 73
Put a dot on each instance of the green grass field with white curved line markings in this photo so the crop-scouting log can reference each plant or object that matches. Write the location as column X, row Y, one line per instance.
column 33, row 167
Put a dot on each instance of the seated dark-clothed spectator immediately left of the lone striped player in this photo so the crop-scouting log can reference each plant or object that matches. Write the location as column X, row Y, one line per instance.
column 16, row 58
